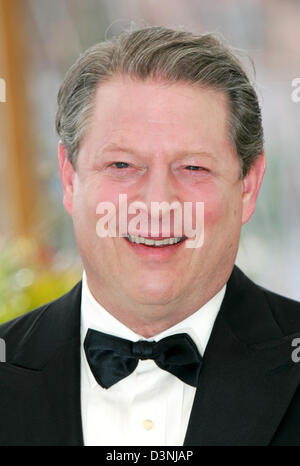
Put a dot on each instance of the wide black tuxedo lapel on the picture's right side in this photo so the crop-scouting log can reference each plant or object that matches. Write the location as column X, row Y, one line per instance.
column 248, row 378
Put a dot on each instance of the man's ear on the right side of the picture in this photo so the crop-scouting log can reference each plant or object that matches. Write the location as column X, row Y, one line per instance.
column 251, row 185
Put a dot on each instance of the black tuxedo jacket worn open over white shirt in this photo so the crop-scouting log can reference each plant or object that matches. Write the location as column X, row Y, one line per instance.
column 248, row 392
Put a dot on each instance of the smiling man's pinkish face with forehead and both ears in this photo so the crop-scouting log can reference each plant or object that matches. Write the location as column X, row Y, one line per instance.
column 160, row 132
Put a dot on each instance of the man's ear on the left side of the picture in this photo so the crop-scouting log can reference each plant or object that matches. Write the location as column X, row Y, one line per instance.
column 67, row 176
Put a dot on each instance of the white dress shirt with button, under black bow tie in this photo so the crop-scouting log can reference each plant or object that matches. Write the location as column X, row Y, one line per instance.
column 150, row 406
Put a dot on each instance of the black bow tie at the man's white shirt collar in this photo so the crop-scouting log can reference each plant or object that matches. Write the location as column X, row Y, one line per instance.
column 112, row 358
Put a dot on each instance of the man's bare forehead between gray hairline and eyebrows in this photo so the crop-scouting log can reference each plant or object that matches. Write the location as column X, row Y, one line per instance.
column 158, row 115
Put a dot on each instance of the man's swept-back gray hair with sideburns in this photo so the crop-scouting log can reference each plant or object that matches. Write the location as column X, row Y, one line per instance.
column 171, row 55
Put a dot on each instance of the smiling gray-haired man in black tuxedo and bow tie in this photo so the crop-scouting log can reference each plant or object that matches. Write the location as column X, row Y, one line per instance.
column 167, row 116
